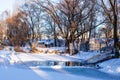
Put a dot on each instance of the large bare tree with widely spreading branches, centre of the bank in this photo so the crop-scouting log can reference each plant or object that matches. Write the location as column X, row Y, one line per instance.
column 71, row 18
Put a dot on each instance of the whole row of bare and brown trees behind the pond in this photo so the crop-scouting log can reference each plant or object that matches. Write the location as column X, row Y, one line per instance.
column 76, row 21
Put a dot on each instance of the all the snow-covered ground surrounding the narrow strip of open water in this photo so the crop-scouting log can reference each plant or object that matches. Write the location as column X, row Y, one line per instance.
column 13, row 66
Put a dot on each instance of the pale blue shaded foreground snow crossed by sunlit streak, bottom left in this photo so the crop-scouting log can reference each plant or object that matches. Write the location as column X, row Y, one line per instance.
column 11, row 73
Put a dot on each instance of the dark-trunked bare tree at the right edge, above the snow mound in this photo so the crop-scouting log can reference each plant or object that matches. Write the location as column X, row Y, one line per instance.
column 111, row 12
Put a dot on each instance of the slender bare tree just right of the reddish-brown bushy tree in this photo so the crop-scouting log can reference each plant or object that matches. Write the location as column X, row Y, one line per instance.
column 33, row 18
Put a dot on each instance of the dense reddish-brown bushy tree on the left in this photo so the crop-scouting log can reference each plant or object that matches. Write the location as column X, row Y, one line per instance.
column 18, row 30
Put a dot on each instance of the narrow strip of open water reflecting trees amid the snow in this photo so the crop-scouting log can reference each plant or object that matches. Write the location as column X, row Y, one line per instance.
column 36, row 64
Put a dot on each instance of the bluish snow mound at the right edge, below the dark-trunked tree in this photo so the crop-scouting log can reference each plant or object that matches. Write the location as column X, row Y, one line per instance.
column 111, row 66
